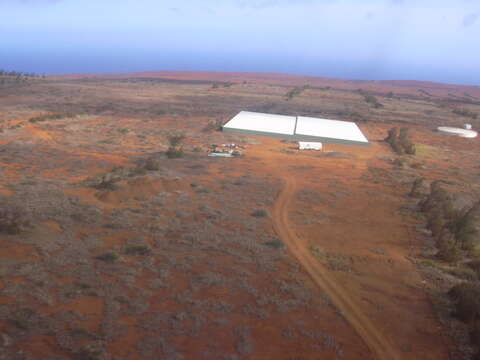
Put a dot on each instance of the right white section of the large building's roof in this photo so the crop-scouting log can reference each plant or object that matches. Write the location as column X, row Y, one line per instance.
column 332, row 129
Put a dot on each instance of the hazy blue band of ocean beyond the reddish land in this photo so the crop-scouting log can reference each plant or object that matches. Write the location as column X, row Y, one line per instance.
column 125, row 61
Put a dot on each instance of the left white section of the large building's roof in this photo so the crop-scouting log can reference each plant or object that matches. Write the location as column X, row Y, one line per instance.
column 277, row 124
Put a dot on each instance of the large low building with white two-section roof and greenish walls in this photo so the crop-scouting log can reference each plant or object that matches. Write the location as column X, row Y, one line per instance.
column 299, row 128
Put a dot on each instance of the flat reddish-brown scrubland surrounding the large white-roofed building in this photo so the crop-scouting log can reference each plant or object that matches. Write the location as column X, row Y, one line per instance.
column 126, row 254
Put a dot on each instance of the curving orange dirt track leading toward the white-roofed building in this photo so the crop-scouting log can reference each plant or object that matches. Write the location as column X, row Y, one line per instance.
column 376, row 342
